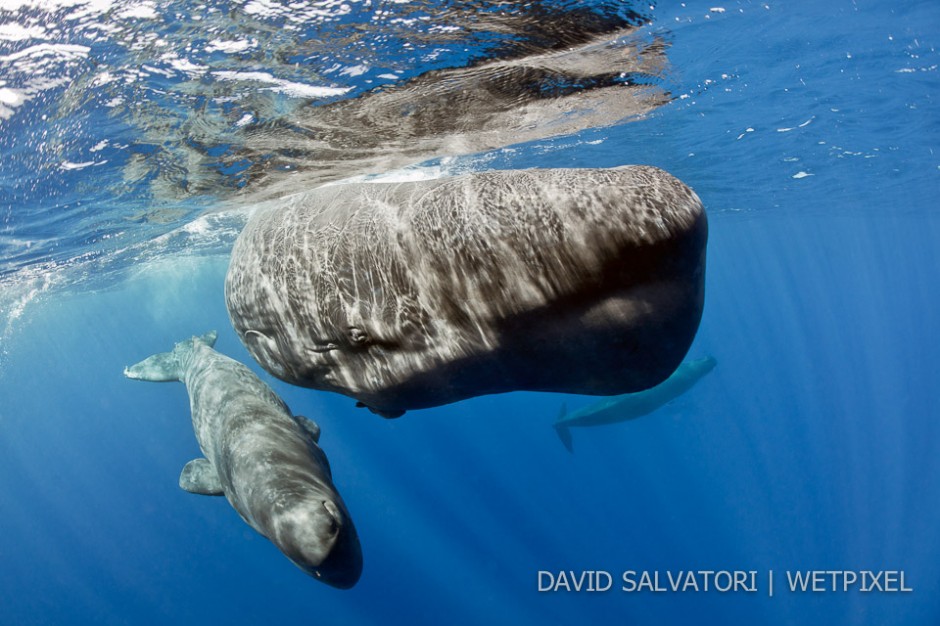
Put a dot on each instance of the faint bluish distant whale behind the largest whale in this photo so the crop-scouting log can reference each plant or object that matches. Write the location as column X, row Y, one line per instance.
column 633, row 405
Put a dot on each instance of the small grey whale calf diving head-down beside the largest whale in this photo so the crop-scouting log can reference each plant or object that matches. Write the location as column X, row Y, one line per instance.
column 264, row 459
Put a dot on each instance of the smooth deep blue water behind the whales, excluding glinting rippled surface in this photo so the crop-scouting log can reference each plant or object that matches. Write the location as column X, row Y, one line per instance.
column 813, row 445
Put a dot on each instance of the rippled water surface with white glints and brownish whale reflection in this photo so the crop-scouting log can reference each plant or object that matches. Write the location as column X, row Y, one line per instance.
column 232, row 107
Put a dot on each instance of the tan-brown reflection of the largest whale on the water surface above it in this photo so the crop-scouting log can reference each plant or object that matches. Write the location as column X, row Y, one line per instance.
column 606, row 79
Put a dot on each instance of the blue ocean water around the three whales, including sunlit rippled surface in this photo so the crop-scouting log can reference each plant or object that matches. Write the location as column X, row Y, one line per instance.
column 808, row 129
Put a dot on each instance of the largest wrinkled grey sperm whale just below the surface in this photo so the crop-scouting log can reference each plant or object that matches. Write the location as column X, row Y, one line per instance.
column 416, row 294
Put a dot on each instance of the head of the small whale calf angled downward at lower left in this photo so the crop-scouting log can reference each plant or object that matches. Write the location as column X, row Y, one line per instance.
column 318, row 536
